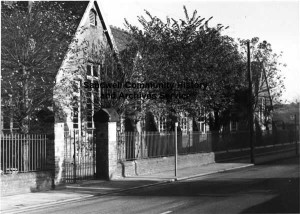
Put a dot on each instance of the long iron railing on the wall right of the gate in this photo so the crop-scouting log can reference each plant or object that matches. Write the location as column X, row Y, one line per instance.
column 134, row 145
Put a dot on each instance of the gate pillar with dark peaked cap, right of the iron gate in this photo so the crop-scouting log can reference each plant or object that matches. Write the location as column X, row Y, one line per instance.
column 106, row 143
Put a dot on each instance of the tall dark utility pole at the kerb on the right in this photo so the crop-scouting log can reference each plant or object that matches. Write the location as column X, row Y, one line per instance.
column 250, row 103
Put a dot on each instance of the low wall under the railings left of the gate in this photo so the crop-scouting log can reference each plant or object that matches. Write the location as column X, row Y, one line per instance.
column 18, row 183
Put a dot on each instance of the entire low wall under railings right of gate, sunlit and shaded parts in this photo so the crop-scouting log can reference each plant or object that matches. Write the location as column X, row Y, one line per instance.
column 156, row 165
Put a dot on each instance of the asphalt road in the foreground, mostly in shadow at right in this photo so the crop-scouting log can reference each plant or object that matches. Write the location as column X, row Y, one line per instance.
column 269, row 188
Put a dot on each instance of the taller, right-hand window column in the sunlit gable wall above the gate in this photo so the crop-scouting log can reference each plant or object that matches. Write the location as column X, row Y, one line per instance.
column 92, row 94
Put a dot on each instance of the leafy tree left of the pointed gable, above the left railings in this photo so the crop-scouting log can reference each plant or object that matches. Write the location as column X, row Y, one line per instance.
column 34, row 40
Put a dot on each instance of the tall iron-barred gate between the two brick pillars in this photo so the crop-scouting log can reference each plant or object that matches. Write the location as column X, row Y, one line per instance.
column 80, row 155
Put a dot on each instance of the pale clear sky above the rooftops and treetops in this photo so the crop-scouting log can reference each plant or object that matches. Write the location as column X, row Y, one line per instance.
column 274, row 21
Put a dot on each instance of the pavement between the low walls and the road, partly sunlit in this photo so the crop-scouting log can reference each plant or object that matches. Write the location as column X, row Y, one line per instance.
column 81, row 191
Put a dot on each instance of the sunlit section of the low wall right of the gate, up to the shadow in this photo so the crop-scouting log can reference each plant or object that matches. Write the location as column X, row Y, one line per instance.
column 155, row 165
